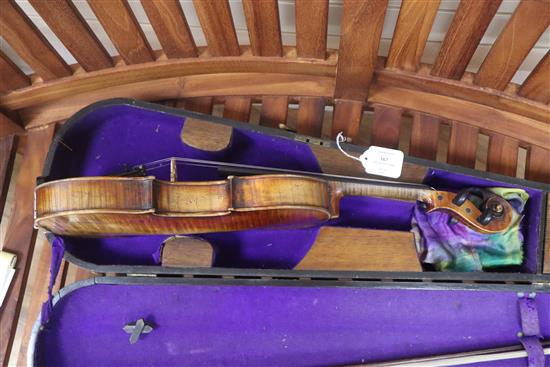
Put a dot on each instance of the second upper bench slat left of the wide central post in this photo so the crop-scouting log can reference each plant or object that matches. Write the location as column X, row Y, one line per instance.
column 264, row 29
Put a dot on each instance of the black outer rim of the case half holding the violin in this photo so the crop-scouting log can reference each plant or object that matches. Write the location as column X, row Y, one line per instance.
column 265, row 276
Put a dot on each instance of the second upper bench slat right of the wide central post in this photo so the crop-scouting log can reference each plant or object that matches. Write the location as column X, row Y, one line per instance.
column 461, row 40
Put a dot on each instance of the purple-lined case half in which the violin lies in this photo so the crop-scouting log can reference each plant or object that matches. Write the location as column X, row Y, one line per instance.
column 111, row 136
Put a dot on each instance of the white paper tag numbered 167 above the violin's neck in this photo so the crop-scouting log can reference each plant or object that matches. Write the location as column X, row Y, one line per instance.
column 382, row 161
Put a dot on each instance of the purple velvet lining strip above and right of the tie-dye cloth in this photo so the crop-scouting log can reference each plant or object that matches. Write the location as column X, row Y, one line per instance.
column 445, row 180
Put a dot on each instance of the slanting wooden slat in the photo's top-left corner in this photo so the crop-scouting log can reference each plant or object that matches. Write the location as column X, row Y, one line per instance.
column 30, row 44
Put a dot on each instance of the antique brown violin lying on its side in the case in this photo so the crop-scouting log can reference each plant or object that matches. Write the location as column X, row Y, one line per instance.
column 144, row 205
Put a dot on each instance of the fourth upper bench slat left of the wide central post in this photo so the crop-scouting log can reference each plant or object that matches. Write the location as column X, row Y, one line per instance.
column 171, row 27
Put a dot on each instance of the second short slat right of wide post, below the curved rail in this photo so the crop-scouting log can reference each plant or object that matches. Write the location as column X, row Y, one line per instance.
column 424, row 136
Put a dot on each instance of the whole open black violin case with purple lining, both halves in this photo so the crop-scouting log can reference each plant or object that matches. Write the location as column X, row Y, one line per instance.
column 251, row 308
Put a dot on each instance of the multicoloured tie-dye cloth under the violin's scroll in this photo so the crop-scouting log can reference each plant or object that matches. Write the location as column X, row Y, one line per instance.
column 452, row 246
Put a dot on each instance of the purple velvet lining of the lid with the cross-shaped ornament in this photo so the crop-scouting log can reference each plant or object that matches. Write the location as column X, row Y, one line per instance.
column 276, row 325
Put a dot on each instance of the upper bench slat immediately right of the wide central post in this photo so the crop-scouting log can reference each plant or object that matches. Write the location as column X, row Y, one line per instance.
column 414, row 24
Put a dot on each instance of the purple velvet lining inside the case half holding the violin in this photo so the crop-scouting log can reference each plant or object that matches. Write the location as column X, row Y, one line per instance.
column 113, row 138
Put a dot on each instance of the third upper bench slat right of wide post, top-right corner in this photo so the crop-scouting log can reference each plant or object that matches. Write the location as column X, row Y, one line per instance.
column 529, row 21
